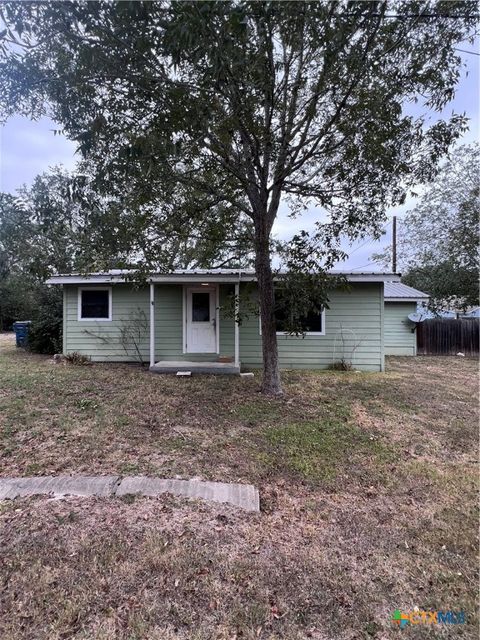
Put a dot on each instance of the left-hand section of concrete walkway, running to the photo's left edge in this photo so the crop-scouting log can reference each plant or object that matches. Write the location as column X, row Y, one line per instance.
column 58, row 486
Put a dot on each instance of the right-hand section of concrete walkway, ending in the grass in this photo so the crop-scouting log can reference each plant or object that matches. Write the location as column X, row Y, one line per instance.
column 240, row 495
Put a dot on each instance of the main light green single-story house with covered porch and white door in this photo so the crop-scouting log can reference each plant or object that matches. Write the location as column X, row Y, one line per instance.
column 183, row 321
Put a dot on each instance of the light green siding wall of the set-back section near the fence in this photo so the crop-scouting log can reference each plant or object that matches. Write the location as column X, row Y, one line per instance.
column 400, row 340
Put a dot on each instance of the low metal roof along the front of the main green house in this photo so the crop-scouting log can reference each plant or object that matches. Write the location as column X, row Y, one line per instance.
column 192, row 275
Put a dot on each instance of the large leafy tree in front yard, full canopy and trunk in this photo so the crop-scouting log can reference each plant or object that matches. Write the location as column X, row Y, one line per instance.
column 246, row 103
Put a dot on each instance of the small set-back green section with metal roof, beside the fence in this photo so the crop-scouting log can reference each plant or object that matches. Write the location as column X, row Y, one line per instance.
column 401, row 302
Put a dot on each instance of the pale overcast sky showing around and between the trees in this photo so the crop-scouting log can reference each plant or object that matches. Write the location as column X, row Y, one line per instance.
column 28, row 148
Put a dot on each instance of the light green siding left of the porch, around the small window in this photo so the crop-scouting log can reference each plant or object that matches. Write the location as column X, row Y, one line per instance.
column 102, row 340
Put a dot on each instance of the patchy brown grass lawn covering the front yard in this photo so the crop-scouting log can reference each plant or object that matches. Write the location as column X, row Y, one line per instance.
column 368, row 486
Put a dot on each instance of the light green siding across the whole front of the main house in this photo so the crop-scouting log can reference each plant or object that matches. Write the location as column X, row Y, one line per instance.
column 353, row 329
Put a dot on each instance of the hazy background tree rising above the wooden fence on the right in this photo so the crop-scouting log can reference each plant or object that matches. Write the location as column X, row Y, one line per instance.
column 438, row 246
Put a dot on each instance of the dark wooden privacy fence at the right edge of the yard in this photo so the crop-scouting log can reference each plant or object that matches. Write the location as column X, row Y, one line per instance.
column 448, row 336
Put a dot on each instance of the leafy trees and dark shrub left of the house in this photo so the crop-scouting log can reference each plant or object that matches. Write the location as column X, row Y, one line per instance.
column 36, row 239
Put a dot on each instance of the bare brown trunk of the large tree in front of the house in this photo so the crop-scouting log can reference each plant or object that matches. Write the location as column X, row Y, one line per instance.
column 271, row 376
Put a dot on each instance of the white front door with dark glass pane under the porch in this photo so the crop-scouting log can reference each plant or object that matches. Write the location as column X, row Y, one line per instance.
column 201, row 330
